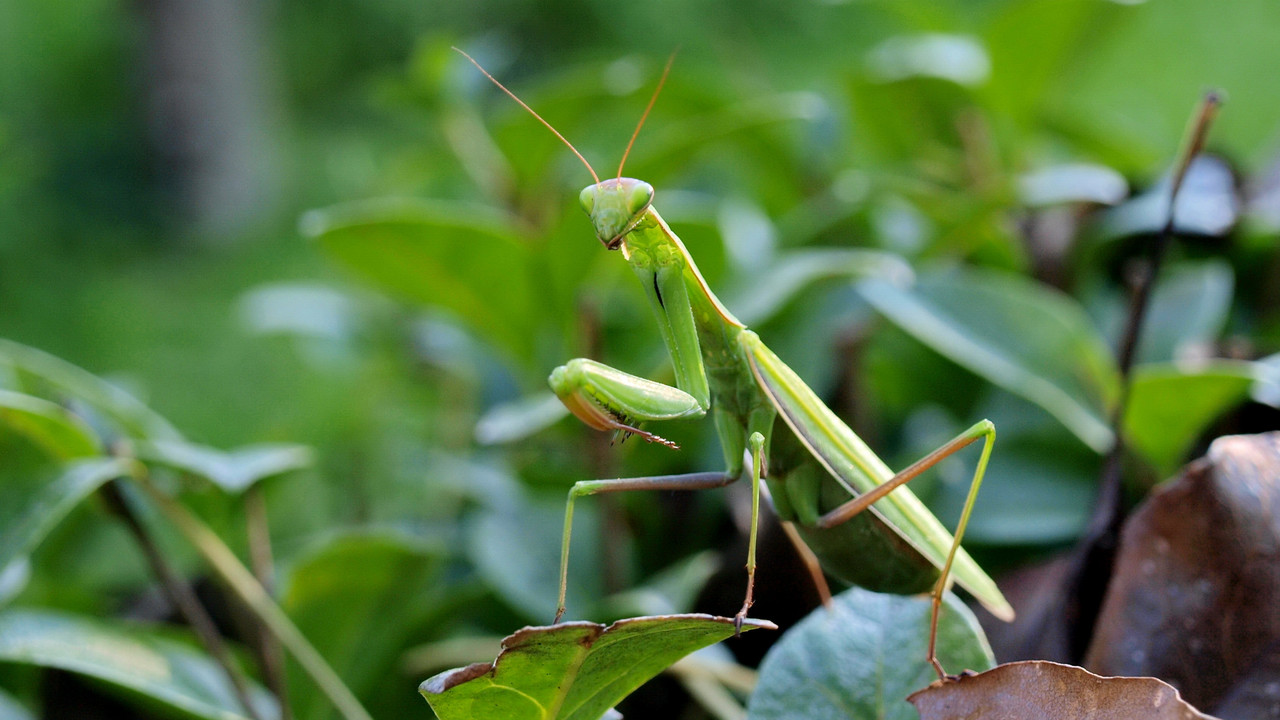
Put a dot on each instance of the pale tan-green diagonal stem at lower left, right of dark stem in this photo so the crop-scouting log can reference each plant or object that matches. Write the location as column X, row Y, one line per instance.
column 259, row 603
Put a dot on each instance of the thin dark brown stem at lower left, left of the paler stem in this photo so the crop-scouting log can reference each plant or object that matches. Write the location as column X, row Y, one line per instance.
column 181, row 595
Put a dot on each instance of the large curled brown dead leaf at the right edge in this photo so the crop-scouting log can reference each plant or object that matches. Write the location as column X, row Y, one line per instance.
column 1197, row 582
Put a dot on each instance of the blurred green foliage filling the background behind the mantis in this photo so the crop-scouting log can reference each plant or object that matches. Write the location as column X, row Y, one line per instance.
column 447, row 270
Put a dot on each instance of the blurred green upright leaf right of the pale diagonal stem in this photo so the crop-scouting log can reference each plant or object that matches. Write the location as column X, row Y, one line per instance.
column 360, row 599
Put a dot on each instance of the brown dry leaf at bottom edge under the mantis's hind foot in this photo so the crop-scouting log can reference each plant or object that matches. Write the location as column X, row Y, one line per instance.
column 1037, row 690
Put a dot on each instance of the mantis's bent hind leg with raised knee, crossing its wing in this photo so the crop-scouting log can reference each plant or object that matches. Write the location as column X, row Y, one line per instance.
column 985, row 431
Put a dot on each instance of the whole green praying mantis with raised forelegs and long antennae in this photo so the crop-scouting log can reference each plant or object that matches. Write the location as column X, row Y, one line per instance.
column 821, row 476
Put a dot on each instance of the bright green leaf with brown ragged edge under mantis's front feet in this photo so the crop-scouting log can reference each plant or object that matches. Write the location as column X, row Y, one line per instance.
column 573, row 671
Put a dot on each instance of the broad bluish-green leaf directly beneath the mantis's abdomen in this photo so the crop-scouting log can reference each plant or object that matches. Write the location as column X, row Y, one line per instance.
column 862, row 658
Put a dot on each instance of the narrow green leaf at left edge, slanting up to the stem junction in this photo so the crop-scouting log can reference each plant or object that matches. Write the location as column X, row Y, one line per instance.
column 53, row 502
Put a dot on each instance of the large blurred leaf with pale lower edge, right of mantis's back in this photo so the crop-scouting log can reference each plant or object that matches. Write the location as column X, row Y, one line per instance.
column 1016, row 334
